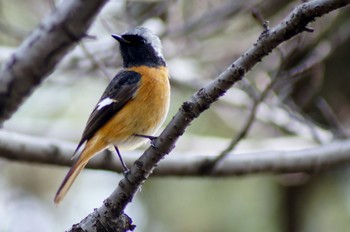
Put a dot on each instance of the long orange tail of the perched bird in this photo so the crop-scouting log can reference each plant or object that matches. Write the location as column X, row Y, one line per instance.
column 89, row 151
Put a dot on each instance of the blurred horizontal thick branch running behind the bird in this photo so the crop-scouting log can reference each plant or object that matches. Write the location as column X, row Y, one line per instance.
column 45, row 151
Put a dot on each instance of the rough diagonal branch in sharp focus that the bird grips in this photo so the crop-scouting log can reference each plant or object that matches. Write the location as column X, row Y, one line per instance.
column 294, row 24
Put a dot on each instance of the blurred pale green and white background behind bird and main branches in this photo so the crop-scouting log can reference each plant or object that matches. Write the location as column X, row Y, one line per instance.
column 299, row 96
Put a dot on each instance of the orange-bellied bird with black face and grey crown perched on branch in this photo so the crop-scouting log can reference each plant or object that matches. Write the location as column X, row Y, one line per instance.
column 131, row 109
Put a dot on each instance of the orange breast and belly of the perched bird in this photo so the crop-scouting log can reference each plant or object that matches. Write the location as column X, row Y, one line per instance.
column 144, row 114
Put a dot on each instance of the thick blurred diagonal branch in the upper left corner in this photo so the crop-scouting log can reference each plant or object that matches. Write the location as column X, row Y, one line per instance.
column 42, row 50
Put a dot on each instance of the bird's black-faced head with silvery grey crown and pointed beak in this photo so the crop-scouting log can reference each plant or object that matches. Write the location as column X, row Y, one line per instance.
column 140, row 46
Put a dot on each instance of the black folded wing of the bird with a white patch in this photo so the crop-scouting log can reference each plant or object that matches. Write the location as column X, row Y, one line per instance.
column 119, row 91
